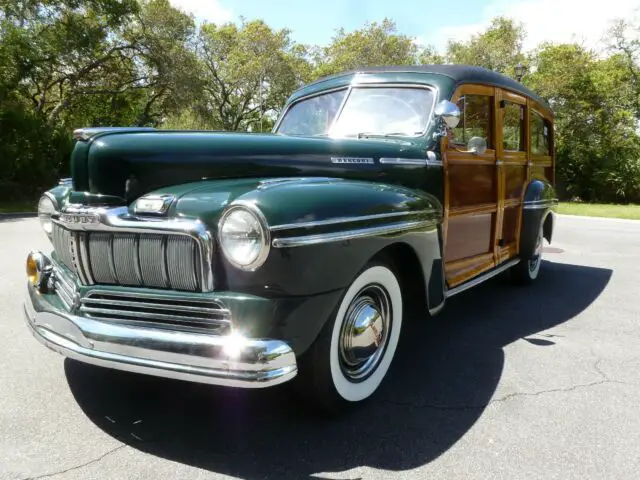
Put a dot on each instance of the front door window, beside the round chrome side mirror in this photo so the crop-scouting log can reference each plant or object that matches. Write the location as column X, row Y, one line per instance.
column 475, row 119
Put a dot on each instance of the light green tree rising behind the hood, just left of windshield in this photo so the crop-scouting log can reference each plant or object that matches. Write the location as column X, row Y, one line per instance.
column 248, row 72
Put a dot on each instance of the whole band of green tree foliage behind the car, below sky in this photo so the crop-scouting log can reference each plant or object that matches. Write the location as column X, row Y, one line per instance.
column 71, row 63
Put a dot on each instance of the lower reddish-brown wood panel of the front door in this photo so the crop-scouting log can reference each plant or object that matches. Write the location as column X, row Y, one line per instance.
column 469, row 235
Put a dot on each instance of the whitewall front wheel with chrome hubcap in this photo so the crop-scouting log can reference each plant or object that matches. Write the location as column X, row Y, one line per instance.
column 354, row 350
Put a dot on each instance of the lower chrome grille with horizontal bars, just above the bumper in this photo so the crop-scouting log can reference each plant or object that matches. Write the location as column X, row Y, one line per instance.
column 160, row 311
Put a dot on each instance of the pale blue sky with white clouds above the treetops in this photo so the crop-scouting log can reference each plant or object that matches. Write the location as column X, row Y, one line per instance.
column 430, row 22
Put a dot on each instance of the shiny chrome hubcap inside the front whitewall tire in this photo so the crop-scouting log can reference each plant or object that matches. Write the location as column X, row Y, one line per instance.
column 365, row 332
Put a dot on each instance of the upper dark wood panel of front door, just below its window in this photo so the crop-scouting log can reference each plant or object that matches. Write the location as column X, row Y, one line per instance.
column 471, row 185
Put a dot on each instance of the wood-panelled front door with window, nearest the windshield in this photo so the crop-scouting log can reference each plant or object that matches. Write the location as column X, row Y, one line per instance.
column 471, row 187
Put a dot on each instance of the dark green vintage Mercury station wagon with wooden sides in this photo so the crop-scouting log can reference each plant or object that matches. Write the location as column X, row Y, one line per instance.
column 246, row 260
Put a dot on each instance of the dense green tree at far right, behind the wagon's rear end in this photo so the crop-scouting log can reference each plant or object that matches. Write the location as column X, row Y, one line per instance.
column 597, row 144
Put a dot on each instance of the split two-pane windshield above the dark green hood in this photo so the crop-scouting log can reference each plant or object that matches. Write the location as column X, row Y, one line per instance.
column 367, row 111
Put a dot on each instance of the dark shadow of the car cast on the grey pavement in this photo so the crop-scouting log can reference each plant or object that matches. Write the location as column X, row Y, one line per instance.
column 443, row 377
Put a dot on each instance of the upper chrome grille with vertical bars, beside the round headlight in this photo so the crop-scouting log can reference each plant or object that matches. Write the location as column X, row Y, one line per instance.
column 169, row 261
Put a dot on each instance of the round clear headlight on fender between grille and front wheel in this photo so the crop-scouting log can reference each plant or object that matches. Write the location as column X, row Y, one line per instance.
column 244, row 237
